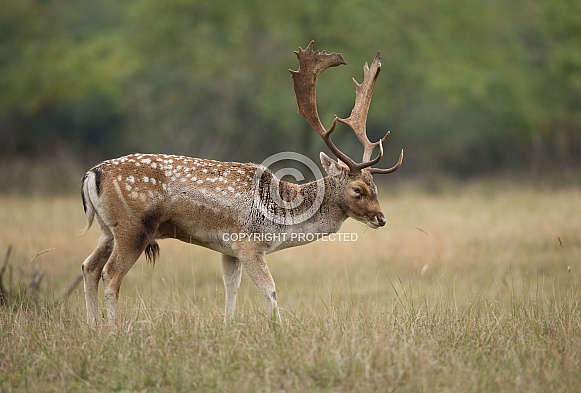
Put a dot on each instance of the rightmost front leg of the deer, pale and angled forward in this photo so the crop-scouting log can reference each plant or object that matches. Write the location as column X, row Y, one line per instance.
column 257, row 270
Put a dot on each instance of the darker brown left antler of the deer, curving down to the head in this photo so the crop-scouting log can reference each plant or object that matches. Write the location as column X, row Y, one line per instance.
column 311, row 65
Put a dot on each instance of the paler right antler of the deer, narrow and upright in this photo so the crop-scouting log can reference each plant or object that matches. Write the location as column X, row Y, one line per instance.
column 358, row 118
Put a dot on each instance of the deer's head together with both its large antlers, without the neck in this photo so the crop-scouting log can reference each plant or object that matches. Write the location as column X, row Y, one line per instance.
column 356, row 190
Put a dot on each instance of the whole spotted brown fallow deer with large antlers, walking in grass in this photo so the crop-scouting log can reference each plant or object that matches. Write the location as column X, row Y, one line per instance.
column 140, row 198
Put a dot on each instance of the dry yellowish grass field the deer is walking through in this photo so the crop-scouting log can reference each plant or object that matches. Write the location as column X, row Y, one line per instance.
column 476, row 288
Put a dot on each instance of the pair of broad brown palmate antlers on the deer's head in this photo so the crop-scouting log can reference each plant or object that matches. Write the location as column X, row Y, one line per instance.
column 311, row 65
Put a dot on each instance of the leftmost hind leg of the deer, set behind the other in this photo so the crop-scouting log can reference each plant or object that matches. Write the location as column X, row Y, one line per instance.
column 92, row 268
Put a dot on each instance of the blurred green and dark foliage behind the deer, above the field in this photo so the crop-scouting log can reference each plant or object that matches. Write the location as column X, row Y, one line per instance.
column 467, row 87
